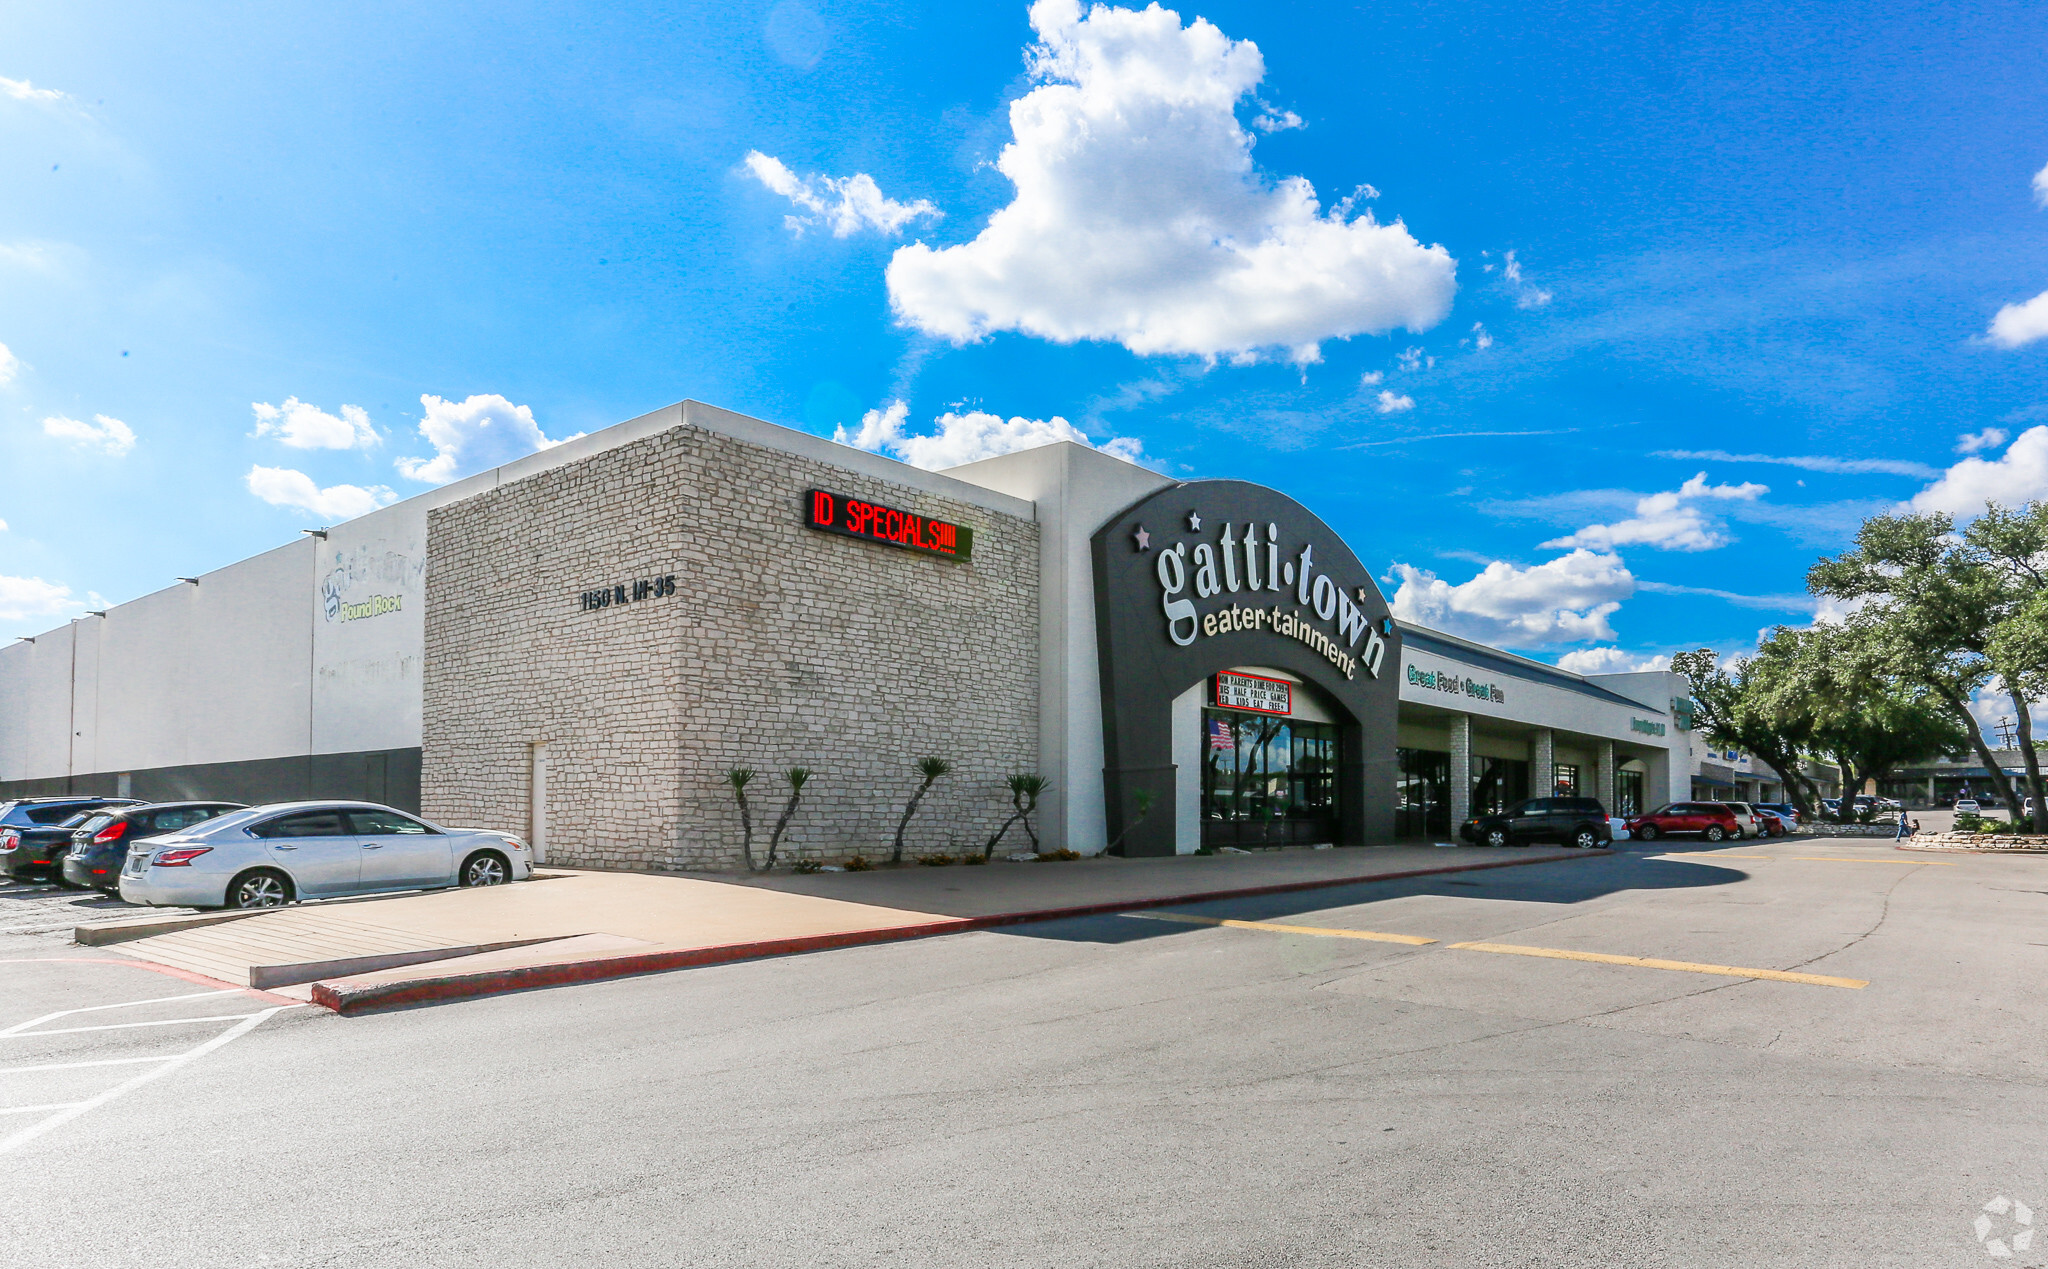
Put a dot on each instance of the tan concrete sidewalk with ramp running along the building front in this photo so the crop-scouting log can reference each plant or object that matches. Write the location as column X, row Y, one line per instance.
column 572, row 926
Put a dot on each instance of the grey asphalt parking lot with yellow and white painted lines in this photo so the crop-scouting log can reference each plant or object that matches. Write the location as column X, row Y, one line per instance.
column 1310, row 1080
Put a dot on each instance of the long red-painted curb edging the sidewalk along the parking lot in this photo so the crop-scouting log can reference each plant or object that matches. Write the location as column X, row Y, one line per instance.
column 454, row 988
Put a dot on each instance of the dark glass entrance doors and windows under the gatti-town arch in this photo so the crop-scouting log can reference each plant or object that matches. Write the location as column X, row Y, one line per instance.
column 1269, row 781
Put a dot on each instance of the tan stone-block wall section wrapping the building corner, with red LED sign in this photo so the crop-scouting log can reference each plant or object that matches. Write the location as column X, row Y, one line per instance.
column 781, row 648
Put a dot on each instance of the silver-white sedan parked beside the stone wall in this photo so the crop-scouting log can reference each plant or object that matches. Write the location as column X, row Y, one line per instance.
column 269, row 857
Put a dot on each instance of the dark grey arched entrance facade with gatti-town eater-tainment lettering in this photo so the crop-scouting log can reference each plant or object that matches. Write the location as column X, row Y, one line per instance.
column 1215, row 576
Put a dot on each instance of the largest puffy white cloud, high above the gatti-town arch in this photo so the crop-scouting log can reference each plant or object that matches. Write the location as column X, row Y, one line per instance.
column 1142, row 220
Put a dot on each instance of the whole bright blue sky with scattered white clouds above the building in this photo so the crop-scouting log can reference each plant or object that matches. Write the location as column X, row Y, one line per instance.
column 263, row 267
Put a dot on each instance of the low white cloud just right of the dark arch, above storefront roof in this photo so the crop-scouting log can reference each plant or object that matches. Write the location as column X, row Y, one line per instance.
column 1564, row 601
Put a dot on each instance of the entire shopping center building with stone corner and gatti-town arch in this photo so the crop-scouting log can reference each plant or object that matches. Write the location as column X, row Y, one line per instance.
column 585, row 644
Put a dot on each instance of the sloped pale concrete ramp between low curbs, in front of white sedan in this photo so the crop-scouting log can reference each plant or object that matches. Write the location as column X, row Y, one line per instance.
column 298, row 947
